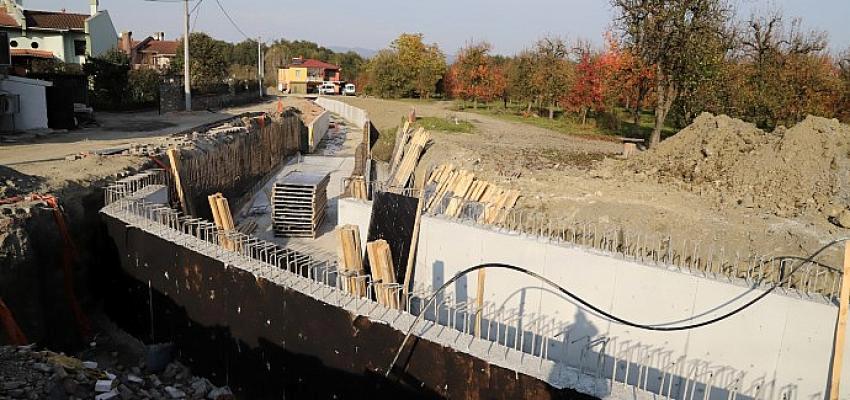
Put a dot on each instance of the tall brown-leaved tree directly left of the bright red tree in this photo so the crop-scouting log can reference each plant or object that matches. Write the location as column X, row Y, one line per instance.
column 551, row 71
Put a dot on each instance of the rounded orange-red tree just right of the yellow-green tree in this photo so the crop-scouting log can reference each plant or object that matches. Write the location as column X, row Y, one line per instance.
column 475, row 75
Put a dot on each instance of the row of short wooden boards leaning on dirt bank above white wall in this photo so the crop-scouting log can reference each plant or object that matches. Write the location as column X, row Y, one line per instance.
column 455, row 188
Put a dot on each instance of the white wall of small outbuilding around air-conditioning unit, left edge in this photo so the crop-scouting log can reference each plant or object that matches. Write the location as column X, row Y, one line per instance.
column 33, row 97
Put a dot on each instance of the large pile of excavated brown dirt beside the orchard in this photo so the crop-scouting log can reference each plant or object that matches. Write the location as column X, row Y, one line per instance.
column 787, row 171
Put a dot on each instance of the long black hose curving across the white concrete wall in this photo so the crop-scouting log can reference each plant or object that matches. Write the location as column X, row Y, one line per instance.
column 603, row 313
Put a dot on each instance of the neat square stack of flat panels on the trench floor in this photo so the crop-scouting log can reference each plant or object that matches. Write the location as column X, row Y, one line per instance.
column 299, row 202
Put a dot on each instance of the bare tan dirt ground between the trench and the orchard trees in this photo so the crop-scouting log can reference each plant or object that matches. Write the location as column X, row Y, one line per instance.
column 561, row 179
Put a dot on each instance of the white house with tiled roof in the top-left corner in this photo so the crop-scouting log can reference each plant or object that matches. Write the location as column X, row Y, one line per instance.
column 59, row 35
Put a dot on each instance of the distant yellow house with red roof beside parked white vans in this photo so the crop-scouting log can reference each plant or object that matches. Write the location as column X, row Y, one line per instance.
column 304, row 75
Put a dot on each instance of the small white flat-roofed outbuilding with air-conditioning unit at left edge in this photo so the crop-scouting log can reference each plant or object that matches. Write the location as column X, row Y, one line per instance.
column 28, row 98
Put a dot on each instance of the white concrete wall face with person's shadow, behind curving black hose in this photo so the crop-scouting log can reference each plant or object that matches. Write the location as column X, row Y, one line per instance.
column 779, row 348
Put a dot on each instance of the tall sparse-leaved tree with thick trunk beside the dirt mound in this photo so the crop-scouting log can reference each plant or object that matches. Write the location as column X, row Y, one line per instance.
column 670, row 35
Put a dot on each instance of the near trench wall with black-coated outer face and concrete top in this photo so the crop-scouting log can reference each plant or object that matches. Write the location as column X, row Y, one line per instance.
column 270, row 333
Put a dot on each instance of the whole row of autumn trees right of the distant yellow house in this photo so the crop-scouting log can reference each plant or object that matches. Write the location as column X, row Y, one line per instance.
column 677, row 58
